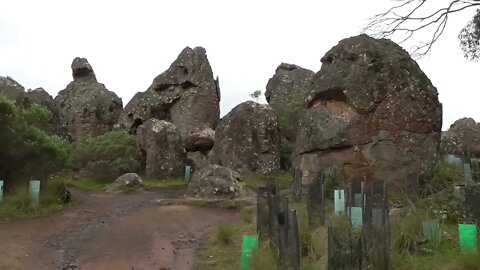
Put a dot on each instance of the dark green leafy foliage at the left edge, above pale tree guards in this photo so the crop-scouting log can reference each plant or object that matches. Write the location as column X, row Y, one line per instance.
column 28, row 151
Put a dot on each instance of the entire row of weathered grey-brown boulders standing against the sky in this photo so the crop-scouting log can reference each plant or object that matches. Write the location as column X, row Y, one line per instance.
column 369, row 111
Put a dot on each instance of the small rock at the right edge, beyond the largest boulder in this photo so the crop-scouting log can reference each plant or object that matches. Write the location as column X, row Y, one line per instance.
column 462, row 138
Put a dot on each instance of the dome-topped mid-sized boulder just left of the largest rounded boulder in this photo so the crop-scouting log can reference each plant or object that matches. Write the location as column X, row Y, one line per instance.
column 248, row 139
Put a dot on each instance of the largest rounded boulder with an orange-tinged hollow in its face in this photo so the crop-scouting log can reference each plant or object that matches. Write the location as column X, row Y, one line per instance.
column 371, row 111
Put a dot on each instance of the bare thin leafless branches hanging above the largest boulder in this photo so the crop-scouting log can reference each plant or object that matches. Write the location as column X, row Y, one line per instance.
column 408, row 18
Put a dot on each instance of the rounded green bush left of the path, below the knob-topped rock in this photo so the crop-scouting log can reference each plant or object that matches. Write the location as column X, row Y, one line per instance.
column 107, row 156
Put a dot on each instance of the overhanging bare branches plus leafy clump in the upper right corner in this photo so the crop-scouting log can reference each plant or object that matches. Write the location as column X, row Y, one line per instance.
column 409, row 18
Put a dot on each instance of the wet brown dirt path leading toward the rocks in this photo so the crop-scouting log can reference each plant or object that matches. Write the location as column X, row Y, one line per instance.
column 111, row 231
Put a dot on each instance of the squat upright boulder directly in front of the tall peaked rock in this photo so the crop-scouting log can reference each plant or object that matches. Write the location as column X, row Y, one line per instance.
column 162, row 148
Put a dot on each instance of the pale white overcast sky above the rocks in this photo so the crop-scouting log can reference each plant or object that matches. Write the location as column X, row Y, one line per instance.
column 128, row 43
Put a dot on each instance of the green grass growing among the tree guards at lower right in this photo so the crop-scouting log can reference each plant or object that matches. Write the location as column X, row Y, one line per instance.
column 408, row 248
